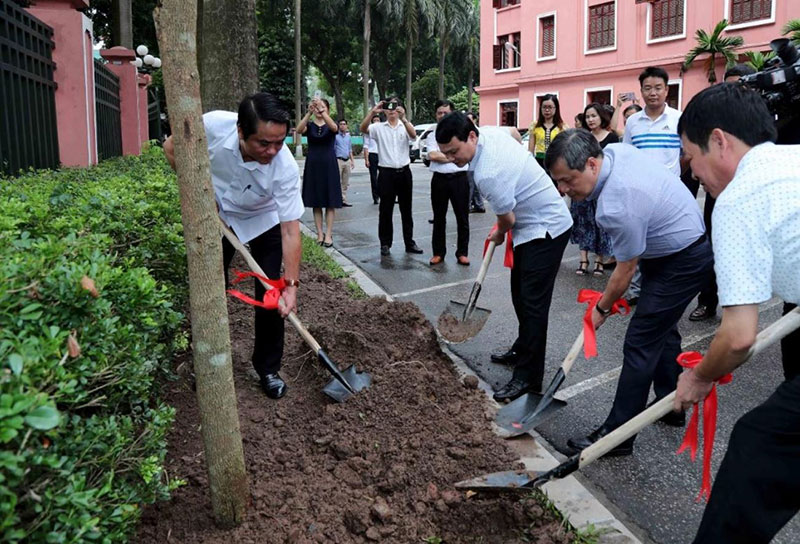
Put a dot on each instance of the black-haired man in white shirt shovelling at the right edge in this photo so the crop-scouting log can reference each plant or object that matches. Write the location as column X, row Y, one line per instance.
column 727, row 135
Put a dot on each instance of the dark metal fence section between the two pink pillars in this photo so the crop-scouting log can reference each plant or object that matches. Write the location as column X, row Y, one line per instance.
column 109, row 124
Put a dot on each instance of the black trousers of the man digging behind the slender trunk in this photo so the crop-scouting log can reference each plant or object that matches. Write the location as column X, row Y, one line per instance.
column 269, row 325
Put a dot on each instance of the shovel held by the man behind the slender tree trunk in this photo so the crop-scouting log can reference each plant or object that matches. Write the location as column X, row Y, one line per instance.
column 344, row 383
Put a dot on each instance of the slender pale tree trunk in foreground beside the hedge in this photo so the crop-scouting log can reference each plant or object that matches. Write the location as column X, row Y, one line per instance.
column 176, row 22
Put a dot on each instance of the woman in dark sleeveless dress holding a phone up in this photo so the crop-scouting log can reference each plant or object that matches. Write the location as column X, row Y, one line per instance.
column 321, row 182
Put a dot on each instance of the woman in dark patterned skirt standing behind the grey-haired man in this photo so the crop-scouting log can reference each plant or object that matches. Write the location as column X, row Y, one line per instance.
column 585, row 231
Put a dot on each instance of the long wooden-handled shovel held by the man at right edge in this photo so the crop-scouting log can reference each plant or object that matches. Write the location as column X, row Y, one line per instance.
column 525, row 480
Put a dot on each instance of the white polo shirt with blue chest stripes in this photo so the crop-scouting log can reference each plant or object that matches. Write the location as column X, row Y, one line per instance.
column 658, row 138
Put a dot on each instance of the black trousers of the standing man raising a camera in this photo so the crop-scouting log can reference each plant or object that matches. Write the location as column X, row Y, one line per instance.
column 394, row 183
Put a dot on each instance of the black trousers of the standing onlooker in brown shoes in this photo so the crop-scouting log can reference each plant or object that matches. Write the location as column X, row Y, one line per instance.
column 453, row 188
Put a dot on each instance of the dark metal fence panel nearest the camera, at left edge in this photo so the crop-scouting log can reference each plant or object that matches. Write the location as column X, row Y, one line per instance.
column 28, row 131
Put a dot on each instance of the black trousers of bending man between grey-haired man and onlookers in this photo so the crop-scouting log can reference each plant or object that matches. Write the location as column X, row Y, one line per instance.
column 536, row 265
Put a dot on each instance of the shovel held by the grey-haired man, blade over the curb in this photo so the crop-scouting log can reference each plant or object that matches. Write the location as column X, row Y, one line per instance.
column 533, row 409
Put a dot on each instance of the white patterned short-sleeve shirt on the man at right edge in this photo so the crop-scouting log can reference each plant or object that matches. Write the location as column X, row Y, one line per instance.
column 757, row 228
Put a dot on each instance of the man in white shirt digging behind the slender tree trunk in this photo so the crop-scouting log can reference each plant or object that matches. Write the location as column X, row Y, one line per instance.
column 257, row 189
